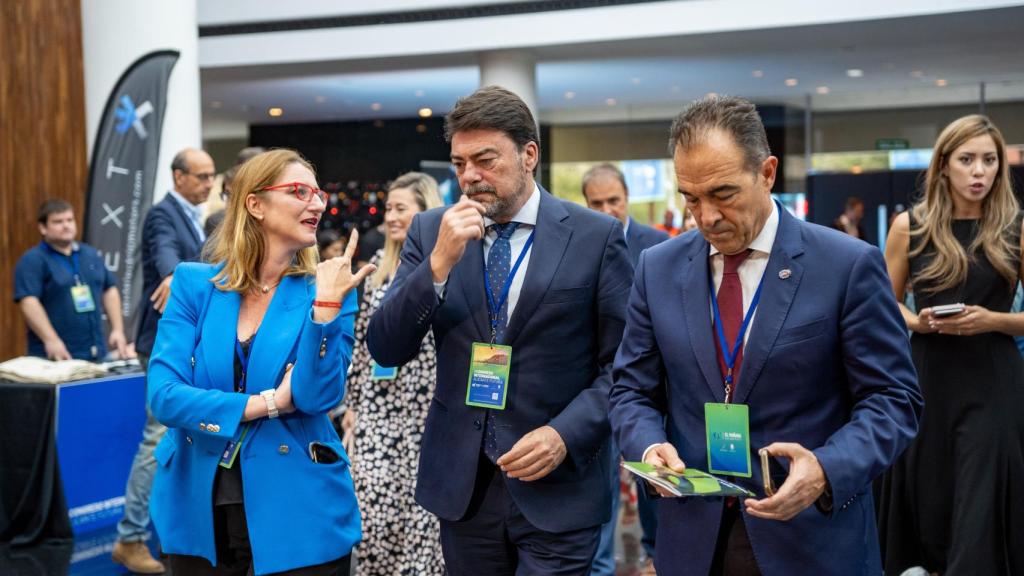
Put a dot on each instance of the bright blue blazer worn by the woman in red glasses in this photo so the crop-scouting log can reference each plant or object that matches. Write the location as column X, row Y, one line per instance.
column 300, row 513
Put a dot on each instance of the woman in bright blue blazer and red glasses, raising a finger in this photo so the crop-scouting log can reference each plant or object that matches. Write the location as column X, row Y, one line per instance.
column 250, row 356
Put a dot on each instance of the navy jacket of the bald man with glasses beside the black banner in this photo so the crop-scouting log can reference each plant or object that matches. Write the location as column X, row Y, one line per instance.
column 168, row 239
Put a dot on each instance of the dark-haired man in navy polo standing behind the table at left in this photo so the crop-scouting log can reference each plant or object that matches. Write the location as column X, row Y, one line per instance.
column 63, row 289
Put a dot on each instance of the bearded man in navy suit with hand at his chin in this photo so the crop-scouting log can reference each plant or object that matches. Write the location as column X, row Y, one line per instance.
column 519, row 477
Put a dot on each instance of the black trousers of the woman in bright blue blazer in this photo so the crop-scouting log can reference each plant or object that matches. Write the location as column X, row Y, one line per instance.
column 235, row 556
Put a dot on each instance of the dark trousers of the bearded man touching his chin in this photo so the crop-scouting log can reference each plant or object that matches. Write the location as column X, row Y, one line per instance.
column 495, row 540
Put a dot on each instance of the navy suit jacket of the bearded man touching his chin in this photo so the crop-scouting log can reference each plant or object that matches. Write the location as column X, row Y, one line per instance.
column 564, row 333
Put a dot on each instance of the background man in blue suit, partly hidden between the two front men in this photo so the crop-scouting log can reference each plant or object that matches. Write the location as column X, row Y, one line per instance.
column 606, row 191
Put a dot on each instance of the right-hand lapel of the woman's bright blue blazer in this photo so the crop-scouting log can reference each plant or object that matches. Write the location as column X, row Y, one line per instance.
column 278, row 333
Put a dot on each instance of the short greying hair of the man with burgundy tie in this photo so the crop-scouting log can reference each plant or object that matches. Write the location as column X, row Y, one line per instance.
column 735, row 116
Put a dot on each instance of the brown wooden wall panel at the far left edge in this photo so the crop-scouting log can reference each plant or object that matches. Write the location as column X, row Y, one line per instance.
column 42, row 134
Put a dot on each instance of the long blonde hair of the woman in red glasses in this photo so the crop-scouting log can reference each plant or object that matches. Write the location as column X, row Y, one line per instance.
column 239, row 242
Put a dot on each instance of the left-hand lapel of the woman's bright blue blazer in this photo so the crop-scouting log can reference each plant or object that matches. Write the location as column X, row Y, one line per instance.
column 220, row 332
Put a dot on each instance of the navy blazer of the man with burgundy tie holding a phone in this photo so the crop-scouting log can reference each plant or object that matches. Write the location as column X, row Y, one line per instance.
column 828, row 365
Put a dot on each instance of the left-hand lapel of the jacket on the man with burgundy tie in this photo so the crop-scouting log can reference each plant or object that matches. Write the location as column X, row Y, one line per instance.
column 697, row 305
